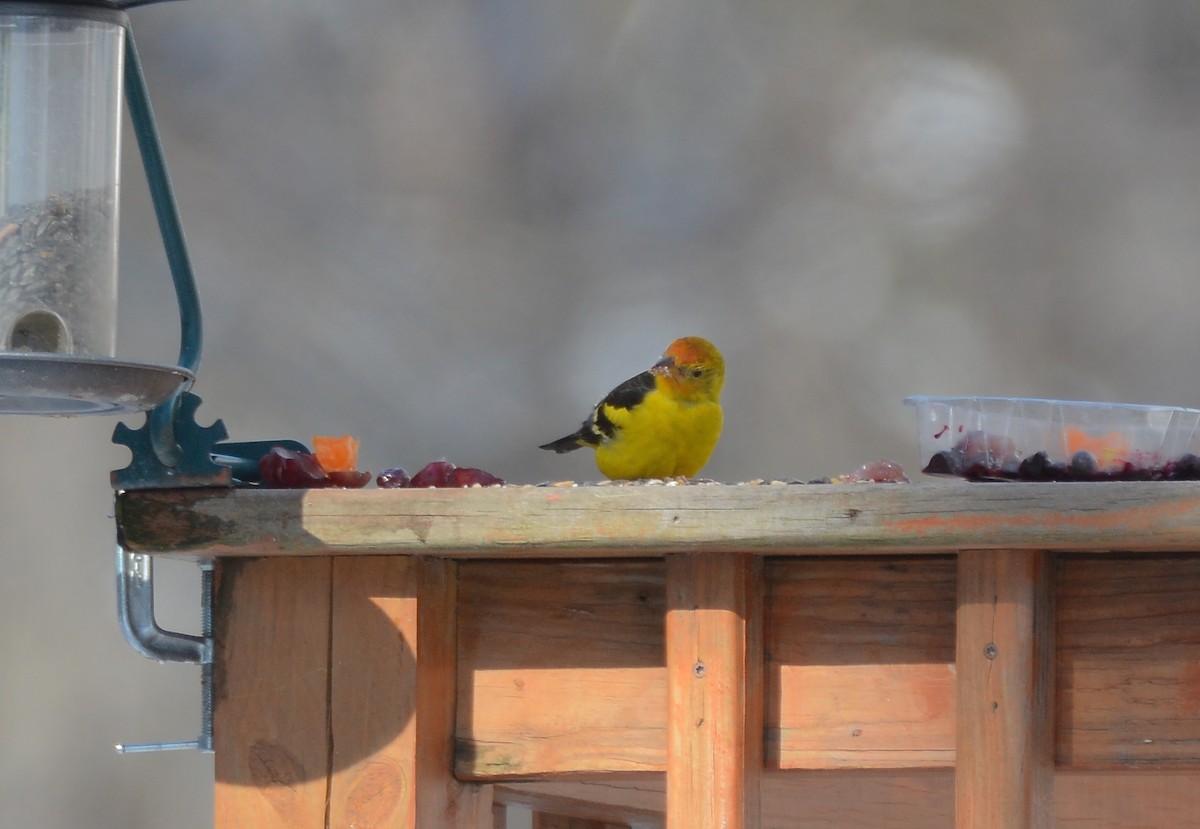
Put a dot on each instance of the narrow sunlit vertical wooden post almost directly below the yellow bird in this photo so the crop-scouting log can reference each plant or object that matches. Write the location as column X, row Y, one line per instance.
column 715, row 690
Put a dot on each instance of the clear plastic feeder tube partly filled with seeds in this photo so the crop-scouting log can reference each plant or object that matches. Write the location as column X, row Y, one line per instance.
column 61, row 106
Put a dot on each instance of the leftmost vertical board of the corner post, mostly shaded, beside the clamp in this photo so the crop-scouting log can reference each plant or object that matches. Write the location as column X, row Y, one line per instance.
column 272, row 754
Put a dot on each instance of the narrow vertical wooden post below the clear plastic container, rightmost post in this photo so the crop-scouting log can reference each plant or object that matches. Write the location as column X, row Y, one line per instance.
column 1005, row 657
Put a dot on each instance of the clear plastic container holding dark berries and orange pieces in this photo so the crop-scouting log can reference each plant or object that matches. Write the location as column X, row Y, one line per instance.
column 1033, row 440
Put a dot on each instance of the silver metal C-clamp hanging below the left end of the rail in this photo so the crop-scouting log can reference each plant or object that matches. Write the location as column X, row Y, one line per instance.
column 135, row 611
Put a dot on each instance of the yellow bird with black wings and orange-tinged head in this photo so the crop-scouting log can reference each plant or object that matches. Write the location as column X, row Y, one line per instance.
column 663, row 423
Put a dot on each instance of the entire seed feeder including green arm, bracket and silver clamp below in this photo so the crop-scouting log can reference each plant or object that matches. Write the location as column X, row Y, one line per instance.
column 63, row 70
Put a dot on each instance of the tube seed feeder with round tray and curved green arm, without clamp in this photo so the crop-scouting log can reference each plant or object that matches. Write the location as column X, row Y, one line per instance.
column 63, row 68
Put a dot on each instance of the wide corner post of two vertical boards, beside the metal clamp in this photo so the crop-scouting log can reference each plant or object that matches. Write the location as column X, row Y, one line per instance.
column 322, row 717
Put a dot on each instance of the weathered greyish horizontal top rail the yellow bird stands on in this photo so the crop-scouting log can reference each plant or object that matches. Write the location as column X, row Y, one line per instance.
column 653, row 521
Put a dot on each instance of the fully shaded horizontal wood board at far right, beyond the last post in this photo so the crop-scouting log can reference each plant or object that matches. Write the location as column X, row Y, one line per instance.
column 1130, row 663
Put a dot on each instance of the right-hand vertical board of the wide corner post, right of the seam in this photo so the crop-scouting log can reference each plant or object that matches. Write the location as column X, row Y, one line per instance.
column 393, row 694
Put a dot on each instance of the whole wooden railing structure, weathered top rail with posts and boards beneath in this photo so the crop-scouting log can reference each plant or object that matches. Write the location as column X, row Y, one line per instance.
column 873, row 656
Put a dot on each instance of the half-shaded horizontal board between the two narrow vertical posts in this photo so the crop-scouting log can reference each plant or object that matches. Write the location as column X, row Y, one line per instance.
column 861, row 666
